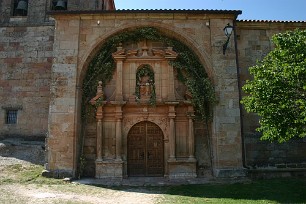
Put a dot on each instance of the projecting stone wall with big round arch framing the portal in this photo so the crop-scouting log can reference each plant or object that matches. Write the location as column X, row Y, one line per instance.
column 79, row 36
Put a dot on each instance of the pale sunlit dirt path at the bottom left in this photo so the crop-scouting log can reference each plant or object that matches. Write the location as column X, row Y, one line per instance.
column 33, row 194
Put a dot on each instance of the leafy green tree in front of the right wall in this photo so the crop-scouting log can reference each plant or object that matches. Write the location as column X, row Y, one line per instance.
column 277, row 92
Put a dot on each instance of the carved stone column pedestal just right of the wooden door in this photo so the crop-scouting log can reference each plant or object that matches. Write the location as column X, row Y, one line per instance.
column 182, row 169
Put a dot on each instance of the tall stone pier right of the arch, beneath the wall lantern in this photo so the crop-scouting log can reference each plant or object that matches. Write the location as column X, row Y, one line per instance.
column 226, row 130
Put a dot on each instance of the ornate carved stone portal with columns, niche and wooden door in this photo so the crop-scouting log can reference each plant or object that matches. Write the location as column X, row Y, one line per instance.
column 144, row 123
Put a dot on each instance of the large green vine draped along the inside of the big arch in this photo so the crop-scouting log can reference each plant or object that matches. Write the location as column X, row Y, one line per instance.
column 189, row 69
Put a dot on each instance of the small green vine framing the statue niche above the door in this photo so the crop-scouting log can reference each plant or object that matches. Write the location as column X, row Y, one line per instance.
column 145, row 70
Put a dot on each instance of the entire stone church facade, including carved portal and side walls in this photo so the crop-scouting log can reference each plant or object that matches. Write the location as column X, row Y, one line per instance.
column 45, row 51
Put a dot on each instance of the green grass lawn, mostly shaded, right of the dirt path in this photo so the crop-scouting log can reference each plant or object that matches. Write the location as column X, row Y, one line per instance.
column 260, row 191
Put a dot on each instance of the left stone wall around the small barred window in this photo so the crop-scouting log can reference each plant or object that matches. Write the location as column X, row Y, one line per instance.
column 26, row 55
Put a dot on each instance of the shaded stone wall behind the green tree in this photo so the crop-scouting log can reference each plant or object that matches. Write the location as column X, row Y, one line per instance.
column 254, row 42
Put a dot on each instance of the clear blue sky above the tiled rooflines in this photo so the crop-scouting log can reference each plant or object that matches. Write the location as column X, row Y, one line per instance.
column 286, row 10
